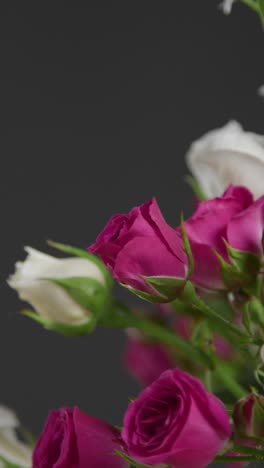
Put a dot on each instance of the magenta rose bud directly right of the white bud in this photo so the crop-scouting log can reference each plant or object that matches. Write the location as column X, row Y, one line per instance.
column 140, row 244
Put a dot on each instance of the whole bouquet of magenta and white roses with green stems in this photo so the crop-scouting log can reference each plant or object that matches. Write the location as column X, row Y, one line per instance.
column 197, row 349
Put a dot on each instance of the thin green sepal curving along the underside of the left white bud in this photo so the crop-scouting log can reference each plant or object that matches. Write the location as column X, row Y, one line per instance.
column 84, row 328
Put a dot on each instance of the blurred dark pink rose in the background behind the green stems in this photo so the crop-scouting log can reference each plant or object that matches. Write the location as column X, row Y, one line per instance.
column 145, row 361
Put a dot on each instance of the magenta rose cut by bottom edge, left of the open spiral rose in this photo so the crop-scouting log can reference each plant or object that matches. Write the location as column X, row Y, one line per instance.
column 72, row 439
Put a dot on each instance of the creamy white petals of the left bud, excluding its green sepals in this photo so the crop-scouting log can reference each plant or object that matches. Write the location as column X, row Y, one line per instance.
column 51, row 301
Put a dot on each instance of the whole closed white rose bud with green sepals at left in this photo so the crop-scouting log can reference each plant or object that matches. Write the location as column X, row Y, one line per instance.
column 67, row 294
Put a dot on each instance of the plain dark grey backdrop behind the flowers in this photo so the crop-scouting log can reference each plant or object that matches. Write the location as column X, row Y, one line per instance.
column 98, row 104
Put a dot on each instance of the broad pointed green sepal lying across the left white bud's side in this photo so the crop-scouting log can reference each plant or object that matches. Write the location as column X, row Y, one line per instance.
column 87, row 292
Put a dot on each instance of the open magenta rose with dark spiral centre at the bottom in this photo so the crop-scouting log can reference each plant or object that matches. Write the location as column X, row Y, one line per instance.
column 175, row 422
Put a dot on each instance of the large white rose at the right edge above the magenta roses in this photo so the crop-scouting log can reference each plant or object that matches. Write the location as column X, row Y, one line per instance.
column 225, row 156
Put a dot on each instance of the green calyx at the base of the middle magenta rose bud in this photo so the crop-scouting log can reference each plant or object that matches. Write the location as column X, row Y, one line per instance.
column 169, row 287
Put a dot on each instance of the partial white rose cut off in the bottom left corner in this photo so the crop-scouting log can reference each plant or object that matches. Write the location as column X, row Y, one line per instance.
column 11, row 449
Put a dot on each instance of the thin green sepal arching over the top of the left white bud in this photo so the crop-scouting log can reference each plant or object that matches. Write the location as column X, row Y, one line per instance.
column 77, row 252
